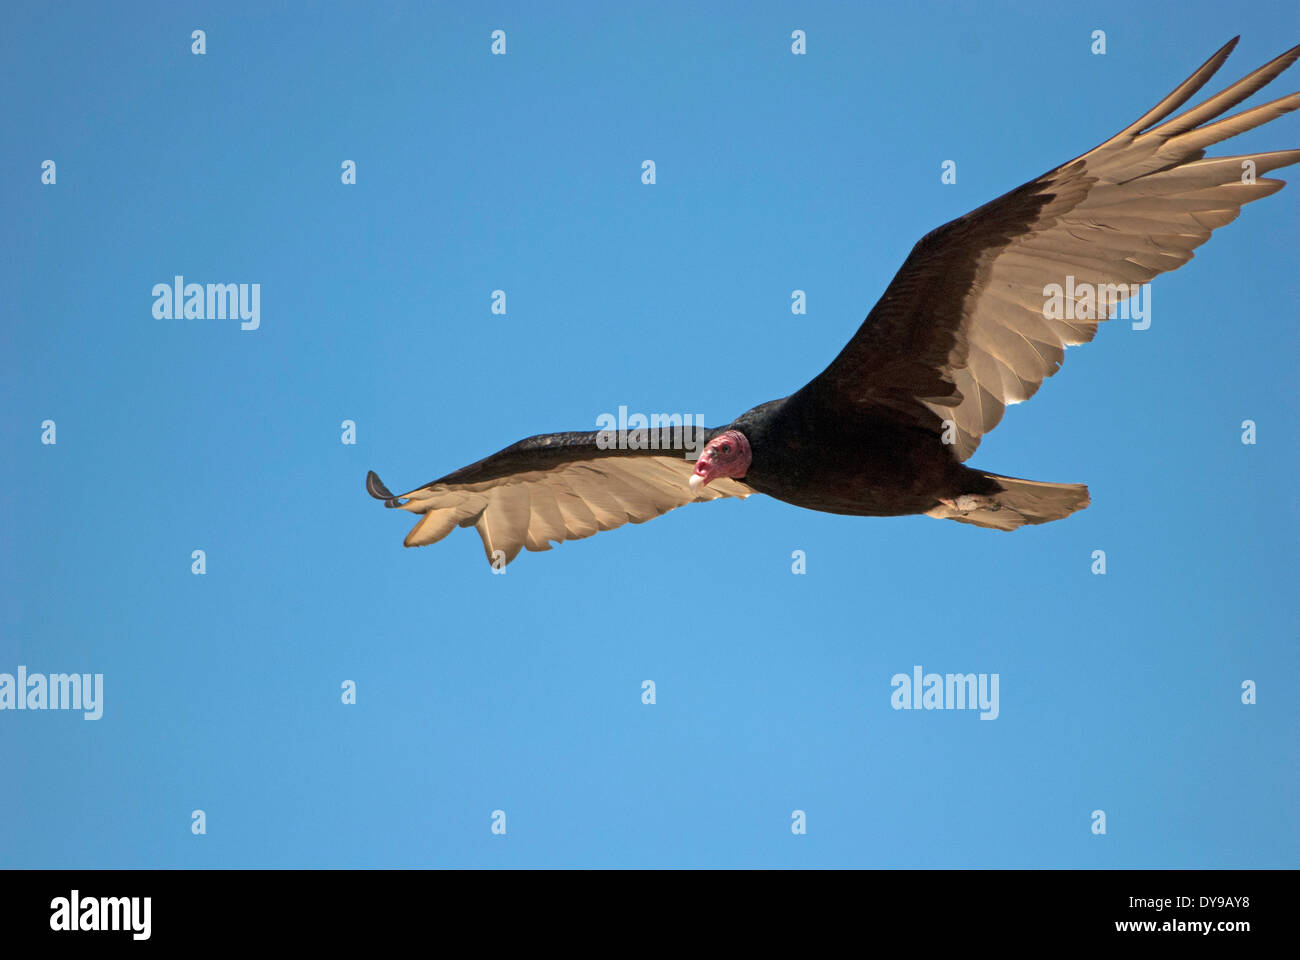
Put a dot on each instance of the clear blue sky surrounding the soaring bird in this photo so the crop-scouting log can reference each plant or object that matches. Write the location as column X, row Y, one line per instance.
column 523, row 693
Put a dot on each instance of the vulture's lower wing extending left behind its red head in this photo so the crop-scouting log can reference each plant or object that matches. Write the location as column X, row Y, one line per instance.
column 557, row 487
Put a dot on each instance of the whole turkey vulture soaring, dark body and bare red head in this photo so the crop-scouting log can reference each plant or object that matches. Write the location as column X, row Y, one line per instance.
column 961, row 332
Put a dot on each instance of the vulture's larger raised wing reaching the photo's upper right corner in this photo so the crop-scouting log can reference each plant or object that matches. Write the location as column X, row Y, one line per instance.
column 965, row 327
